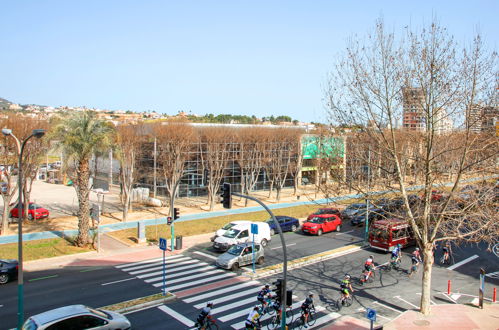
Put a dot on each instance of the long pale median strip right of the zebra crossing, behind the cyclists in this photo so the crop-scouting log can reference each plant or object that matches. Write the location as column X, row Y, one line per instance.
column 297, row 263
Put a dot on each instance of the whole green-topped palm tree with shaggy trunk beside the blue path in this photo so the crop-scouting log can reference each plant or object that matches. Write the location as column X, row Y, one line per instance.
column 79, row 136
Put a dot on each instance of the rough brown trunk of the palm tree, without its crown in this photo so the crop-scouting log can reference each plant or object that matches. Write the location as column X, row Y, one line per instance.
column 82, row 191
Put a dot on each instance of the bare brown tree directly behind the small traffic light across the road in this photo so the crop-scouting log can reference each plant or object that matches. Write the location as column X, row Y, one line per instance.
column 175, row 140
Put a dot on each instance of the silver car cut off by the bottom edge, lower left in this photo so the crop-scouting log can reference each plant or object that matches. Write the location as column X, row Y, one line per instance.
column 77, row 317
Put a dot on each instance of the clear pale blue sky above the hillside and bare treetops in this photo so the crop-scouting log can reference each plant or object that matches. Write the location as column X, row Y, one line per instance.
column 255, row 57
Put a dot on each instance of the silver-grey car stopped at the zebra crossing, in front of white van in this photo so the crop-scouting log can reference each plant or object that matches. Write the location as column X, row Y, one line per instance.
column 241, row 255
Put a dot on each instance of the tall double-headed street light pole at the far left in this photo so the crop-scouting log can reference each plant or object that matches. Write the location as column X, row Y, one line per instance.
column 38, row 133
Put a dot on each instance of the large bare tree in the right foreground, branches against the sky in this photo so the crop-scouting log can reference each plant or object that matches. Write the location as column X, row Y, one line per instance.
column 368, row 88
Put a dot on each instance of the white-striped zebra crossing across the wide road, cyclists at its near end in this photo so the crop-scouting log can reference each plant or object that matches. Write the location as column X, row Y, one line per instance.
column 196, row 282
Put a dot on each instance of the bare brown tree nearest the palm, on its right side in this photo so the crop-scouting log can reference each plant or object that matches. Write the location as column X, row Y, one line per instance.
column 129, row 140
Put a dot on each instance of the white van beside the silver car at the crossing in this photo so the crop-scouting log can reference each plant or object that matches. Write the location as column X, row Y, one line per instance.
column 241, row 234
